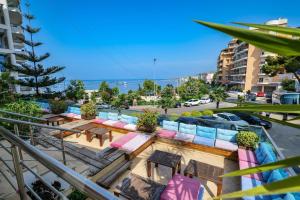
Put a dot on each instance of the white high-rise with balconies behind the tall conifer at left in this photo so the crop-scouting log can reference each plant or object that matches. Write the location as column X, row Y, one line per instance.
column 11, row 35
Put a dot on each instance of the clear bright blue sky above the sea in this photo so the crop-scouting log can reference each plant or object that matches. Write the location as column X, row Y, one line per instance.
column 119, row 39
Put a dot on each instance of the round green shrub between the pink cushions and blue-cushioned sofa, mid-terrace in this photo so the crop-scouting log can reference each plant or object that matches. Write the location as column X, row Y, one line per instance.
column 147, row 121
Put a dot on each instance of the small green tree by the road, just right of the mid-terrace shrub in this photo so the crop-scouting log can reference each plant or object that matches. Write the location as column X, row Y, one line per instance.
column 167, row 98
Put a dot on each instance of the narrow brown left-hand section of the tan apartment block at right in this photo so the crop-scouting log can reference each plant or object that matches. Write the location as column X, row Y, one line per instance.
column 224, row 63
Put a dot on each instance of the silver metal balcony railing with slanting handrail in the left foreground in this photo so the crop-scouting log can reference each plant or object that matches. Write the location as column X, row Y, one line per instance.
column 81, row 183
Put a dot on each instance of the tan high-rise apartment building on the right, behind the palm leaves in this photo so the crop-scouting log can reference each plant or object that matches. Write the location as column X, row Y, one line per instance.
column 241, row 66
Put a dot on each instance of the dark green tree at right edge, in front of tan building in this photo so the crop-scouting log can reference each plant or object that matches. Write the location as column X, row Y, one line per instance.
column 281, row 64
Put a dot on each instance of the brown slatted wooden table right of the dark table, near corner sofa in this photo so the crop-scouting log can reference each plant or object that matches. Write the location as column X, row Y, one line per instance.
column 205, row 171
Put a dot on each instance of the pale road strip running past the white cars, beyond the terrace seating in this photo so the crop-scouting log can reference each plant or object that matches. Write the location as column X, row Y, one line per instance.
column 186, row 109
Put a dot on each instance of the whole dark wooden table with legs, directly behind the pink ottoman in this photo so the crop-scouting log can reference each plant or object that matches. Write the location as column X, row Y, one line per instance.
column 166, row 159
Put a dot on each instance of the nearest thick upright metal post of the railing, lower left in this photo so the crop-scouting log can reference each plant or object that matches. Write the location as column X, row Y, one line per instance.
column 19, row 172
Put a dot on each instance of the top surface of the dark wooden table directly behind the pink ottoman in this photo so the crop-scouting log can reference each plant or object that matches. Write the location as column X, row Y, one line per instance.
column 165, row 158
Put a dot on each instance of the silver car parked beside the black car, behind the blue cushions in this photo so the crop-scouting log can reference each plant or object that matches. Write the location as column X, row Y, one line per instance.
column 237, row 123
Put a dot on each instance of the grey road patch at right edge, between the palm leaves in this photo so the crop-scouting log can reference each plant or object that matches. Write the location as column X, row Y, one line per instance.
column 287, row 139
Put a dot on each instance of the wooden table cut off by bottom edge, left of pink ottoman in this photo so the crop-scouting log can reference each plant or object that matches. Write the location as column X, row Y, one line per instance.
column 138, row 188
